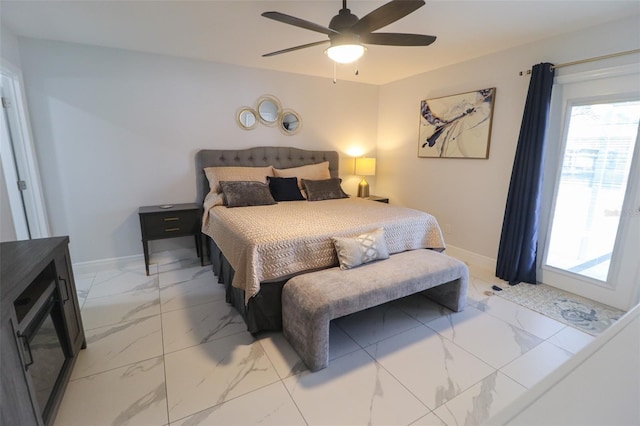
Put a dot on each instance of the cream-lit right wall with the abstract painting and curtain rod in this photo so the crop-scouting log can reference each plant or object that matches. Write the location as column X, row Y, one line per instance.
column 468, row 196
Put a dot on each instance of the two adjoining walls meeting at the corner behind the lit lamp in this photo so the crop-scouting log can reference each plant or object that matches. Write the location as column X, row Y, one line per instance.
column 116, row 130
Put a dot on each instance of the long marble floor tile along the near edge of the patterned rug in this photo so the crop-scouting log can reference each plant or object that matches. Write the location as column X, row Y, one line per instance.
column 526, row 319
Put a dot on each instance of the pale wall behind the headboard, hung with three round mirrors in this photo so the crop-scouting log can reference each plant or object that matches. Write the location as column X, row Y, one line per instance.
column 116, row 130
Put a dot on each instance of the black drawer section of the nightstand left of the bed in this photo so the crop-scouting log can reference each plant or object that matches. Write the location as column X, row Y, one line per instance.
column 166, row 225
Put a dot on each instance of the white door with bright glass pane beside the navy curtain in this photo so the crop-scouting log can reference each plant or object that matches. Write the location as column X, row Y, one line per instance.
column 590, row 223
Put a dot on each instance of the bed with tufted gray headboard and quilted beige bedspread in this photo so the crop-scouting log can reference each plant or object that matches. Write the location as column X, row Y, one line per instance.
column 254, row 250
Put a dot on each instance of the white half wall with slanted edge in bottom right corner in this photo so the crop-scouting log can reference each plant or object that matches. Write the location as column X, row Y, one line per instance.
column 600, row 385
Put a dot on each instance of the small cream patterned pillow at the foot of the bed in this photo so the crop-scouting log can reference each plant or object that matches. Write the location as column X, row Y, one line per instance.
column 364, row 248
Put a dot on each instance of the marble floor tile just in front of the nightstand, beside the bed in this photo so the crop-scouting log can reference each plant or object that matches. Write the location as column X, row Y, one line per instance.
column 183, row 294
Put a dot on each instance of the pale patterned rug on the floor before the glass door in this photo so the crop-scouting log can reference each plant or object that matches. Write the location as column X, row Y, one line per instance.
column 584, row 314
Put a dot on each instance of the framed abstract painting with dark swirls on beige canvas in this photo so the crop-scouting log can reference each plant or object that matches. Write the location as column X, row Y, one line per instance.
column 457, row 126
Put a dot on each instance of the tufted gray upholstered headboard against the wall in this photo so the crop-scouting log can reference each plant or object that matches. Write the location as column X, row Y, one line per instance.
column 278, row 157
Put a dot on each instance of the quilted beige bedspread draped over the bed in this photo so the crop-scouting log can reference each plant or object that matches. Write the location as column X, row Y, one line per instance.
column 264, row 243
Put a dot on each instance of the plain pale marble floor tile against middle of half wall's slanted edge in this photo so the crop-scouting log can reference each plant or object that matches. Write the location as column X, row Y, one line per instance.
column 536, row 364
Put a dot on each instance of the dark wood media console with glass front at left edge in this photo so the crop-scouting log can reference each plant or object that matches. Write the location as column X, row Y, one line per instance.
column 41, row 329
